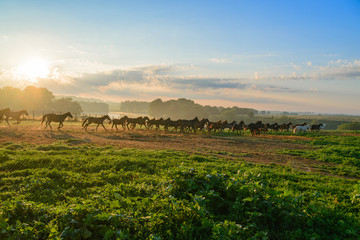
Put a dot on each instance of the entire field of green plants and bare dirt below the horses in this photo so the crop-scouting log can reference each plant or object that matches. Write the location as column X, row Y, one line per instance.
column 104, row 185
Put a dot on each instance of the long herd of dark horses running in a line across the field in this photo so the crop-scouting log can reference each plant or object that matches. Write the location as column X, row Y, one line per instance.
column 181, row 125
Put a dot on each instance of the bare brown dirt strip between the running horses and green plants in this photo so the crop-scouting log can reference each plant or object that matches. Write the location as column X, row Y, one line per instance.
column 259, row 149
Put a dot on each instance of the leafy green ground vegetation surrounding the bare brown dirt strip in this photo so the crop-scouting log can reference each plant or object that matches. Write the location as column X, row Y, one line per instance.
column 70, row 191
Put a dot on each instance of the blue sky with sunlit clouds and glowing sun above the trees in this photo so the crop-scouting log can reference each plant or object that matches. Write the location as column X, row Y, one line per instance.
column 297, row 56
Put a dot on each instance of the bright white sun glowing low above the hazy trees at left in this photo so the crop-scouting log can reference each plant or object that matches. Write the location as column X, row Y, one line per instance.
column 33, row 69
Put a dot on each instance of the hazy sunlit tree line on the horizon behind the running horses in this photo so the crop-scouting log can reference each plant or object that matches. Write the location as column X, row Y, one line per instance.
column 41, row 100
